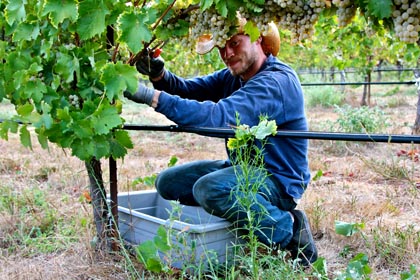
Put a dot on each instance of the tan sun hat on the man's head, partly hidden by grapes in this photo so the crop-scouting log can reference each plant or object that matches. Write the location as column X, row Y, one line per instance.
column 270, row 40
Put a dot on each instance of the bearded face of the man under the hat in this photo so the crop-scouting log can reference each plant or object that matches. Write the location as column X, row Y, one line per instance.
column 240, row 55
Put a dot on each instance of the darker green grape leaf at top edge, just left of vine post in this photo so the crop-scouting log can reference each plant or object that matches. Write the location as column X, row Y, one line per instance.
column 91, row 21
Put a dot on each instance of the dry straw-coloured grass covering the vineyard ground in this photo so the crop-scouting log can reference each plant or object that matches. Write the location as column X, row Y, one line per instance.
column 363, row 183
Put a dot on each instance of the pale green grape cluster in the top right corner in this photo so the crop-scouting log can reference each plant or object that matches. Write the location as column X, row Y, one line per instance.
column 406, row 18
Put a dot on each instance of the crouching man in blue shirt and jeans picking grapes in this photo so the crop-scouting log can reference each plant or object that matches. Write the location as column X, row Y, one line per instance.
column 255, row 83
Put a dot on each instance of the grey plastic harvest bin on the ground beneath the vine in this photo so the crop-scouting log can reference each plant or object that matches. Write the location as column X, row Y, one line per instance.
column 206, row 237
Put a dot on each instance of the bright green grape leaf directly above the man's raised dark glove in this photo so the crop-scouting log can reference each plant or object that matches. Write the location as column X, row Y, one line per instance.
column 134, row 30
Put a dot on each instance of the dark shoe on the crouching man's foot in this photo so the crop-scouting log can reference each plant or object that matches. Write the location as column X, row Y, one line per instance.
column 302, row 245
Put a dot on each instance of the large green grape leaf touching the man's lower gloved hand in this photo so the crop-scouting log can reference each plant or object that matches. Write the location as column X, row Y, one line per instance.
column 117, row 78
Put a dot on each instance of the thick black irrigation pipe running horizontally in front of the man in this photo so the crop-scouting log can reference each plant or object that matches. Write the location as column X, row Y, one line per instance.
column 226, row 133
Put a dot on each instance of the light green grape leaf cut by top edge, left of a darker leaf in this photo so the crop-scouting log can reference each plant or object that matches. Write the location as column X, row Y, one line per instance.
column 59, row 10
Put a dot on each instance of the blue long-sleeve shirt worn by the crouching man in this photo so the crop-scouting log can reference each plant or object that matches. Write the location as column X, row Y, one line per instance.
column 215, row 99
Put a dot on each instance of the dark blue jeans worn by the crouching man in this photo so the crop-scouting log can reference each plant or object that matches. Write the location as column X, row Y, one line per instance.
column 213, row 185
